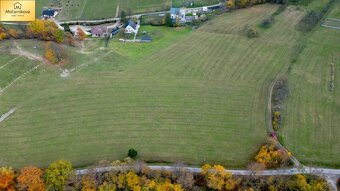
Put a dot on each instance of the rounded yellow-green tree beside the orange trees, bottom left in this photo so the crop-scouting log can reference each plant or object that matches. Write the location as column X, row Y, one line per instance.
column 57, row 174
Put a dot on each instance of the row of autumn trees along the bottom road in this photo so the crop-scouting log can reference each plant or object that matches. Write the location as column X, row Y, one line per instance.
column 131, row 175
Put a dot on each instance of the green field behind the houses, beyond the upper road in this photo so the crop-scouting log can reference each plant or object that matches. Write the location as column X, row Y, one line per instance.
column 89, row 9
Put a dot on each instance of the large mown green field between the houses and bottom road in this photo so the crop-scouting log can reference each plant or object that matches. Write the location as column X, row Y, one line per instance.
column 192, row 96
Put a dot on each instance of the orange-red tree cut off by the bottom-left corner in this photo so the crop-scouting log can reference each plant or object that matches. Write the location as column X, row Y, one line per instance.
column 7, row 179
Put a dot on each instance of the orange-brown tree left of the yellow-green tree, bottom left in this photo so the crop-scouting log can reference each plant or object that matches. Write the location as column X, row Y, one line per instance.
column 30, row 179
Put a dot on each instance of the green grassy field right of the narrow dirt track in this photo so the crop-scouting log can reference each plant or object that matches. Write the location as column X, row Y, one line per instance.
column 313, row 112
